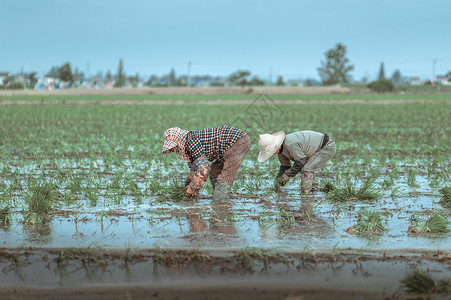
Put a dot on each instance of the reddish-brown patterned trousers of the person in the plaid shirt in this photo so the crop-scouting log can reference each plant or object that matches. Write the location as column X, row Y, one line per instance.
column 232, row 160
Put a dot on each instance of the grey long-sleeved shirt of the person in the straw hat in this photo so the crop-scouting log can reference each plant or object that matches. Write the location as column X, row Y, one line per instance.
column 300, row 145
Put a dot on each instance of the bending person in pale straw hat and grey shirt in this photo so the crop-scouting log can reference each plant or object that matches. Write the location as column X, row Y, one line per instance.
column 309, row 150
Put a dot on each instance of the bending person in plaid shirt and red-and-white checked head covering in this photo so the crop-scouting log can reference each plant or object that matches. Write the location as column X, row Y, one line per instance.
column 225, row 146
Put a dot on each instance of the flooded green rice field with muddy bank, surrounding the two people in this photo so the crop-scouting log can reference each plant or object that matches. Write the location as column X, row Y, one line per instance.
column 111, row 229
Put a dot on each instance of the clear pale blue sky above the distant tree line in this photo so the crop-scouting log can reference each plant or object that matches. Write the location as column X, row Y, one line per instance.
column 286, row 38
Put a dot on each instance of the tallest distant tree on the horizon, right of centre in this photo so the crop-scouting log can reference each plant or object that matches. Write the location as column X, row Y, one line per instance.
column 336, row 69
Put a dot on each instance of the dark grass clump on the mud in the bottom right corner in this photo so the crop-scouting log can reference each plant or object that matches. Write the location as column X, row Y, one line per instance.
column 418, row 282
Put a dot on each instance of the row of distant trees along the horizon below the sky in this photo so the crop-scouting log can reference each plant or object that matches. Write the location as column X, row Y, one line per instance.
column 334, row 69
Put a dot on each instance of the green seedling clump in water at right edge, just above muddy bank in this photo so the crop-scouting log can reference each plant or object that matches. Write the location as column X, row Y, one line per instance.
column 437, row 223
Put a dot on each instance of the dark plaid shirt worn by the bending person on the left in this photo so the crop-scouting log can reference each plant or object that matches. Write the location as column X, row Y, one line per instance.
column 211, row 142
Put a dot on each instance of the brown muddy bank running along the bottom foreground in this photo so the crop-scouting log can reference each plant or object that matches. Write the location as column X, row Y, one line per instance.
column 94, row 273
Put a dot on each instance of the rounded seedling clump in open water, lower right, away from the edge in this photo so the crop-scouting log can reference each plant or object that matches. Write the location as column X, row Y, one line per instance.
column 369, row 221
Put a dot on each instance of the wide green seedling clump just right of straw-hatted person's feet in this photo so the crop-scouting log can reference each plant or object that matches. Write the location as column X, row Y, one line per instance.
column 349, row 191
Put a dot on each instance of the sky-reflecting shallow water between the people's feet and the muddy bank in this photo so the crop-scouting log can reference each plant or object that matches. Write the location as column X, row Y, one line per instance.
column 288, row 220
